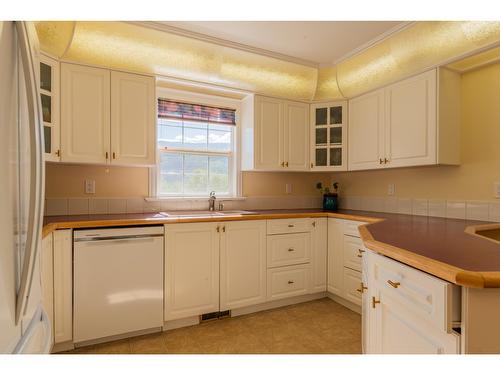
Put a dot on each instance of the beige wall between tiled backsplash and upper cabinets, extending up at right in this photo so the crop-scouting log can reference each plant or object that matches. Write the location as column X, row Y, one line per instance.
column 473, row 179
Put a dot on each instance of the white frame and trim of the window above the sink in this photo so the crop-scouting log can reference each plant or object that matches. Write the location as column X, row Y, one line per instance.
column 234, row 159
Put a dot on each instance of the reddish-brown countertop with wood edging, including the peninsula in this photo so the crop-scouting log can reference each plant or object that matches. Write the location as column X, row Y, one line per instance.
column 446, row 248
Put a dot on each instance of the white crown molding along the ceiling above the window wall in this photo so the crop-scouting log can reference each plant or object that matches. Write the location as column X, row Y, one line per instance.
column 222, row 42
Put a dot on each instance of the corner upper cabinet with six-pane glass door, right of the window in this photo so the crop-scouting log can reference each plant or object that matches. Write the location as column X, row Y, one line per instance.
column 329, row 136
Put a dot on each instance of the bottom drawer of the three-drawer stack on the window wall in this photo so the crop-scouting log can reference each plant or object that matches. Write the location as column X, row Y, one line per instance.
column 288, row 281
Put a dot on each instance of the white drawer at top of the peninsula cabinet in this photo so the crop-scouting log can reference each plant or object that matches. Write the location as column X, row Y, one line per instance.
column 426, row 296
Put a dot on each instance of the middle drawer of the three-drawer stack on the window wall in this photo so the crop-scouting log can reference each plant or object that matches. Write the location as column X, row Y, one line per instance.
column 288, row 249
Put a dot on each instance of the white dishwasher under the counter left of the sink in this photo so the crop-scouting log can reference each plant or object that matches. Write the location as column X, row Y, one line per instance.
column 118, row 281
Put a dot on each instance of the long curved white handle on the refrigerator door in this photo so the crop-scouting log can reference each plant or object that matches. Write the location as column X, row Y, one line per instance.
column 26, row 36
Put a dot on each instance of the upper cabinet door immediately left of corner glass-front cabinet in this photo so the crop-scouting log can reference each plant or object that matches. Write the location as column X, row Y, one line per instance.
column 296, row 146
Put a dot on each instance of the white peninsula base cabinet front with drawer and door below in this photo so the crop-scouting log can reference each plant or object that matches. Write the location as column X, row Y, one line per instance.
column 406, row 311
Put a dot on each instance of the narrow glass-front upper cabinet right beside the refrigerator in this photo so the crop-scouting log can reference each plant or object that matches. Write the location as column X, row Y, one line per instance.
column 49, row 92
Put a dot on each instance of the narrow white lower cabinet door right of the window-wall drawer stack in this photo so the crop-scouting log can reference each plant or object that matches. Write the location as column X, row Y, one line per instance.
column 319, row 249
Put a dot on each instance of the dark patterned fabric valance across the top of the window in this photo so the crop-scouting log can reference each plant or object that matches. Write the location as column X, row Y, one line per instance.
column 195, row 112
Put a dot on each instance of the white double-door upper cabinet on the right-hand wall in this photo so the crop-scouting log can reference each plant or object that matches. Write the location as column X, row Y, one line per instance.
column 413, row 122
